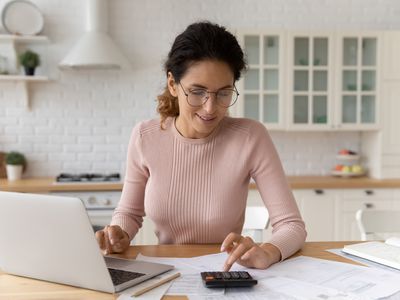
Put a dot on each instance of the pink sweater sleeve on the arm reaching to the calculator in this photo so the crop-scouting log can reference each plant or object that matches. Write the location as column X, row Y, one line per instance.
column 288, row 228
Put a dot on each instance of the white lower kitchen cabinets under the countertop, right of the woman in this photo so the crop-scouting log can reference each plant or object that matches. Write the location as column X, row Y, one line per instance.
column 330, row 214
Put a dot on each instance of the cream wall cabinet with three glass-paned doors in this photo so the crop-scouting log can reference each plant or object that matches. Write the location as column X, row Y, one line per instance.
column 311, row 80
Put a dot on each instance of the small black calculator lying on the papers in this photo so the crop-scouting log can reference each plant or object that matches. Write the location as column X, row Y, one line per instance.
column 227, row 279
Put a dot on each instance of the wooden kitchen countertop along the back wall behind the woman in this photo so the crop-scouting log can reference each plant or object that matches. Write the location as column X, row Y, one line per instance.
column 45, row 185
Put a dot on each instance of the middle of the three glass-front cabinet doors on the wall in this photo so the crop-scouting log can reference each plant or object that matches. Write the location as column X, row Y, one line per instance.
column 310, row 80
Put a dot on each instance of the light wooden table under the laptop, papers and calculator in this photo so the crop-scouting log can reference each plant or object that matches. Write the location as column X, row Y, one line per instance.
column 14, row 287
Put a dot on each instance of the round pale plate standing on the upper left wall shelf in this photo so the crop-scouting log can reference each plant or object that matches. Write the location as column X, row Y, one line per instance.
column 22, row 17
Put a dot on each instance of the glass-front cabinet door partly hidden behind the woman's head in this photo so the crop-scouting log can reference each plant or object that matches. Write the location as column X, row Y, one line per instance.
column 260, row 89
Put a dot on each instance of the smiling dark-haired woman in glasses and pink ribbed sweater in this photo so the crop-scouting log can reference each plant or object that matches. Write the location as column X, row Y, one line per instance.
column 190, row 171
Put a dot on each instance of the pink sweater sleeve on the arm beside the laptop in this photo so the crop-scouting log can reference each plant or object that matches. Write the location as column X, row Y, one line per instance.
column 130, row 210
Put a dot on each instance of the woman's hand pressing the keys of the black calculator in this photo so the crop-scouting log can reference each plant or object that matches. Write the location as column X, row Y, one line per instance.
column 245, row 252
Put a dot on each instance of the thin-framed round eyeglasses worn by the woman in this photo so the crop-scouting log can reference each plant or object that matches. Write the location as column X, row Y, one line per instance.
column 224, row 97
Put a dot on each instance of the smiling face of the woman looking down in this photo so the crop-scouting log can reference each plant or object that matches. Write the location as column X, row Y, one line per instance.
column 211, row 75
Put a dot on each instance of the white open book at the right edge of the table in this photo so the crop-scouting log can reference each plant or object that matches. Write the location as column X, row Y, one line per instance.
column 387, row 253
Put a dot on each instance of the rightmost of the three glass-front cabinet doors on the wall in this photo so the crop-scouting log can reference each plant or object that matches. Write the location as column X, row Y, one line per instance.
column 357, row 84
